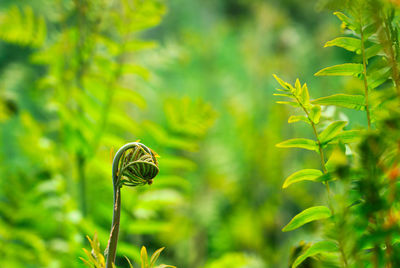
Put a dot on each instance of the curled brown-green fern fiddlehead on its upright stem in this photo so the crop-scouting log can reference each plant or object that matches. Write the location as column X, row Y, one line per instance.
column 134, row 165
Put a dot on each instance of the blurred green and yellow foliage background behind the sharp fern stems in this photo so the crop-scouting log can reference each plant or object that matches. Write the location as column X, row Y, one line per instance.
column 190, row 79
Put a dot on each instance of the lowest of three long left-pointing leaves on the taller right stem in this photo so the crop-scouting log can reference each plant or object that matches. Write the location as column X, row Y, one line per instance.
column 356, row 102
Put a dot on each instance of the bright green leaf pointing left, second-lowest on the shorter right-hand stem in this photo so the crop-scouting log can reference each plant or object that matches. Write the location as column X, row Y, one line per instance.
column 306, row 216
